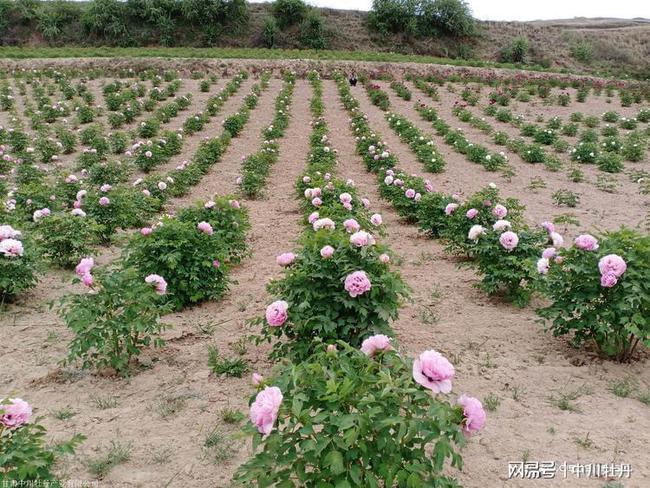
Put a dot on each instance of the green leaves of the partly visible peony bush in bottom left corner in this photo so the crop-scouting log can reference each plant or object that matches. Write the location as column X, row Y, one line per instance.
column 25, row 457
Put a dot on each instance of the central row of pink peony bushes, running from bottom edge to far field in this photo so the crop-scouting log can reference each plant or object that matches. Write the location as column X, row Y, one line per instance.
column 343, row 406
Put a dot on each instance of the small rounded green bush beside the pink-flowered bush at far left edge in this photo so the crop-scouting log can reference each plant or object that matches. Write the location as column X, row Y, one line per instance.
column 66, row 238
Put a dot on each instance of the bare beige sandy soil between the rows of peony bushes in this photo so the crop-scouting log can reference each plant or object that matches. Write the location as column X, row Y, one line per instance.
column 497, row 349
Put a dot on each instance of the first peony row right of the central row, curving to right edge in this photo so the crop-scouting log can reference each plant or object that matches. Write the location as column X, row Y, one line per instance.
column 608, row 310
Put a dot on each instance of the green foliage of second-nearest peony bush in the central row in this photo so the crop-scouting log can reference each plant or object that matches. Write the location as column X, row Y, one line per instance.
column 319, row 305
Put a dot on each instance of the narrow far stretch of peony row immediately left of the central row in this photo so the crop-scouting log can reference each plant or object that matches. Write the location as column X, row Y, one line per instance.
column 256, row 166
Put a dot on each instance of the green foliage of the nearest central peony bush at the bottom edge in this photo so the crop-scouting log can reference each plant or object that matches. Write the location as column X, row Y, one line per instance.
column 357, row 421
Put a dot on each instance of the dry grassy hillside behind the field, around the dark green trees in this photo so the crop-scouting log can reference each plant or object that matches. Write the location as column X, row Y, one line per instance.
column 596, row 46
